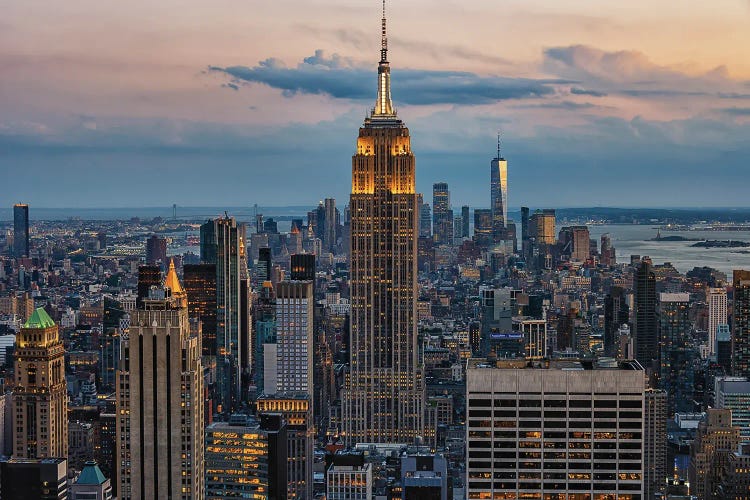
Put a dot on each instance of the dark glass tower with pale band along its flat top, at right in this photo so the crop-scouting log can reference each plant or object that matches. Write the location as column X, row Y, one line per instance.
column 677, row 358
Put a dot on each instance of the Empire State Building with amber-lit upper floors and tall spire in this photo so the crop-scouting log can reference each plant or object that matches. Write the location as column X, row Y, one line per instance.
column 384, row 391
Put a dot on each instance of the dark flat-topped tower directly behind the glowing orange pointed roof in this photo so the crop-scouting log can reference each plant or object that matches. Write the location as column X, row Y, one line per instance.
column 200, row 285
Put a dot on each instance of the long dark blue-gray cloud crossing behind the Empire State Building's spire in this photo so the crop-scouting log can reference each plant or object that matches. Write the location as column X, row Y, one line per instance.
column 343, row 78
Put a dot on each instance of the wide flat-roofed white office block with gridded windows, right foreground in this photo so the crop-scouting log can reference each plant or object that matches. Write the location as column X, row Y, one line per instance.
column 554, row 429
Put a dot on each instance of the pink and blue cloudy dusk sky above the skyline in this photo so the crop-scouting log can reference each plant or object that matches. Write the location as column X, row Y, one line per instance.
column 231, row 103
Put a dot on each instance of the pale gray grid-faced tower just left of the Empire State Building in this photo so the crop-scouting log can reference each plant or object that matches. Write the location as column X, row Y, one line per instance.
column 294, row 336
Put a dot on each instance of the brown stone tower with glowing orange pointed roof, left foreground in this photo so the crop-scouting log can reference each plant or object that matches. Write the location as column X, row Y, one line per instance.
column 160, row 400
